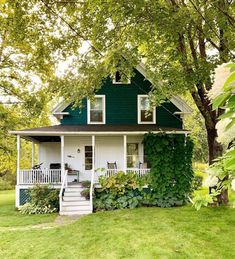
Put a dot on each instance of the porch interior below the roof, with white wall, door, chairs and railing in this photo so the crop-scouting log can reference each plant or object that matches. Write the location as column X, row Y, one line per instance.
column 80, row 157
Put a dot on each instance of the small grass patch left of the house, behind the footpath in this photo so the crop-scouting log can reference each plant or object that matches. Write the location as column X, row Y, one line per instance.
column 9, row 217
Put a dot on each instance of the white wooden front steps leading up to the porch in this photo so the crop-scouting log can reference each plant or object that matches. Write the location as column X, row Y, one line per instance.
column 73, row 203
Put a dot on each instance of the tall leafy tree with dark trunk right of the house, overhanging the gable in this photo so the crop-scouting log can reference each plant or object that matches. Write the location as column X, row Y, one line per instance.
column 181, row 42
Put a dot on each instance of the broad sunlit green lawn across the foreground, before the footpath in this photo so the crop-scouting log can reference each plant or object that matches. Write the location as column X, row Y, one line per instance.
column 138, row 233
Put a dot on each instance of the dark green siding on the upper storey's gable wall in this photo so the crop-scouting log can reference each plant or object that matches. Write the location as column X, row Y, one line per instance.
column 121, row 105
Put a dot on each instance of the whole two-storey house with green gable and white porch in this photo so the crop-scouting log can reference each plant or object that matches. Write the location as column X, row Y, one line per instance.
column 106, row 133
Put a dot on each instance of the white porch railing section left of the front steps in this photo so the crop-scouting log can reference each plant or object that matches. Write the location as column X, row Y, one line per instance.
column 40, row 176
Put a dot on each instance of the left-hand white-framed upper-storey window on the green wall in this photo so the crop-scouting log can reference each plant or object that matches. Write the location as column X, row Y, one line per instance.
column 96, row 110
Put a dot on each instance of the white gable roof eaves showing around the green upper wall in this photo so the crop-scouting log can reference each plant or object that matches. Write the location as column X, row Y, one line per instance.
column 184, row 108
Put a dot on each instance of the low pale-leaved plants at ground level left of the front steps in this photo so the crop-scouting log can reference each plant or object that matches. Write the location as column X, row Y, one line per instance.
column 31, row 208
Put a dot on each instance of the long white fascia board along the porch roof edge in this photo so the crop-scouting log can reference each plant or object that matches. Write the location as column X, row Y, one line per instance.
column 75, row 133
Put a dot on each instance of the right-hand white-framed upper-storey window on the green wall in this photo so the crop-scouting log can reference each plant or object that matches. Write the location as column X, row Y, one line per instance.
column 145, row 115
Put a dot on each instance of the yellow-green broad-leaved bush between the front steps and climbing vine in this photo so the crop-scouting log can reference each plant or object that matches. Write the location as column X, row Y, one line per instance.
column 119, row 191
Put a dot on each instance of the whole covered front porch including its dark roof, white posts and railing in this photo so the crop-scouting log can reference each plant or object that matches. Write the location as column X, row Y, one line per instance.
column 68, row 155
